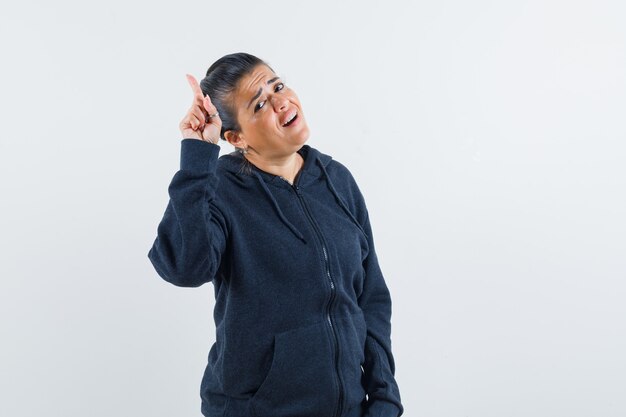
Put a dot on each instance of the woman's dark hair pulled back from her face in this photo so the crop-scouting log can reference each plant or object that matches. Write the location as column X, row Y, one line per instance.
column 222, row 79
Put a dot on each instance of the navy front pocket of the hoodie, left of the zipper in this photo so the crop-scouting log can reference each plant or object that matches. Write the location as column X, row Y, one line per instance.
column 301, row 380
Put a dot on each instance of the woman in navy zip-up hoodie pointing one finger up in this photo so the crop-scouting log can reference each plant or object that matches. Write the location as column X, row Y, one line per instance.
column 302, row 310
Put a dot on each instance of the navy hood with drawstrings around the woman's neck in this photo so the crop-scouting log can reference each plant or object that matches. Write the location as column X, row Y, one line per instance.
column 315, row 163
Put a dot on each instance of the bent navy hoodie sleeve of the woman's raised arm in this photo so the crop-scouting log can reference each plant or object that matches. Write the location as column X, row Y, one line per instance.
column 192, row 234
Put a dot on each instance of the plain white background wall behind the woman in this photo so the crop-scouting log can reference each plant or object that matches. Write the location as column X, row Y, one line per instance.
column 487, row 137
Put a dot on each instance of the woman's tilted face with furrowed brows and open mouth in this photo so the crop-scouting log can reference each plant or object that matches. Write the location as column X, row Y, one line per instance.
column 264, row 104
